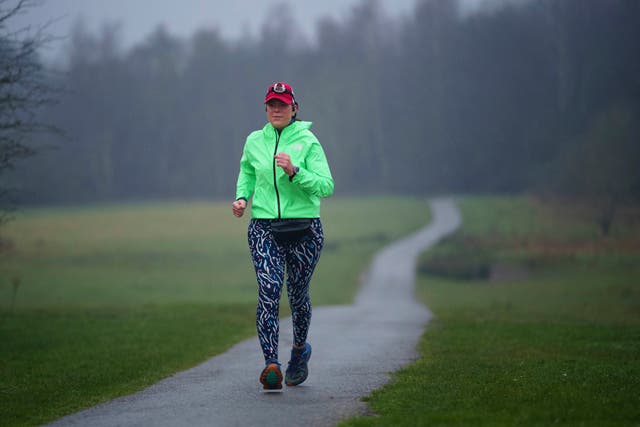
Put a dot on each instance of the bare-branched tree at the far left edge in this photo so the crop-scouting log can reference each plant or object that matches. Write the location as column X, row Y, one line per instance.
column 23, row 90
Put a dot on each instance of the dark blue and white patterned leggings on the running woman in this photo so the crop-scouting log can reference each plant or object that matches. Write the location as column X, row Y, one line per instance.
column 269, row 260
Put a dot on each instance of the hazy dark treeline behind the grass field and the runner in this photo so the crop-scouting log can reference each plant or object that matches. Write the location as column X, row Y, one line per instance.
column 540, row 95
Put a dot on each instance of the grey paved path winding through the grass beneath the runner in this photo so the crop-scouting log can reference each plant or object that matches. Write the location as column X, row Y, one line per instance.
column 354, row 349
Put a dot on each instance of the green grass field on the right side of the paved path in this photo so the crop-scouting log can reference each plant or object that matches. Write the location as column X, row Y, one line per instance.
column 558, row 343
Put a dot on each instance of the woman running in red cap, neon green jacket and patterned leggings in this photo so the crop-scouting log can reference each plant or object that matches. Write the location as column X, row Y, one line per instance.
column 285, row 170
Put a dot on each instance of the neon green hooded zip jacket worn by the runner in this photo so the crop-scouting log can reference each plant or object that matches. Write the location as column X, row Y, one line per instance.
column 274, row 194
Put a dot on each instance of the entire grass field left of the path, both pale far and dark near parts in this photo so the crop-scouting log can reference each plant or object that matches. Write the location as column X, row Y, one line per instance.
column 100, row 301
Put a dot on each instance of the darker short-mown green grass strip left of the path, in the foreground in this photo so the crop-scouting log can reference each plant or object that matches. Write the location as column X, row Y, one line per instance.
column 59, row 360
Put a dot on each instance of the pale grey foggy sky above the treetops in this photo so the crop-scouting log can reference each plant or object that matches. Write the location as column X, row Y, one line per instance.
column 138, row 18
